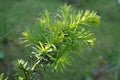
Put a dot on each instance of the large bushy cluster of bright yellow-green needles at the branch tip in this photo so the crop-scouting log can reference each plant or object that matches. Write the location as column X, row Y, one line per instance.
column 55, row 36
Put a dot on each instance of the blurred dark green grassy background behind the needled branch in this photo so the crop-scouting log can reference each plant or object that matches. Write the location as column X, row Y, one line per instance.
column 101, row 62
